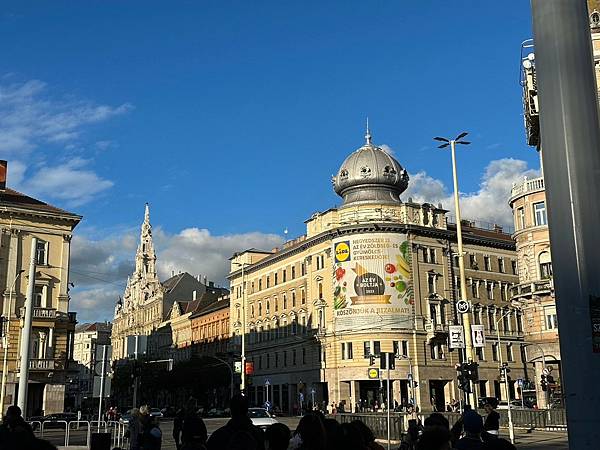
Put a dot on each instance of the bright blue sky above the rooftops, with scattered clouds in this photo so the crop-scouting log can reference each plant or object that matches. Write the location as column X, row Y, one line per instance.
column 229, row 117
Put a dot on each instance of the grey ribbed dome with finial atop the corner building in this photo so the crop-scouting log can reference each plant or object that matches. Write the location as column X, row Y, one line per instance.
column 370, row 175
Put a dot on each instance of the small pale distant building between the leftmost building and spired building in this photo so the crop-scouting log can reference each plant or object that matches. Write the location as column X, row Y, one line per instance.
column 87, row 337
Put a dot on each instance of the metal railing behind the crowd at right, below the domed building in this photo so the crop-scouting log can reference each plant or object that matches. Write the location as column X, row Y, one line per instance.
column 546, row 419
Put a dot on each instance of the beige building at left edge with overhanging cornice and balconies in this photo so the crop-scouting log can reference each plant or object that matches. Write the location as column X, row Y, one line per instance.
column 22, row 218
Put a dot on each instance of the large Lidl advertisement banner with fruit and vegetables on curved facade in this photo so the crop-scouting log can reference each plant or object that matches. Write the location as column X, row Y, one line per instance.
column 372, row 284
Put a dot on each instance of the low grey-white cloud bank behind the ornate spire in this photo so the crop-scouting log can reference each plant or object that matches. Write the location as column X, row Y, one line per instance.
column 99, row 267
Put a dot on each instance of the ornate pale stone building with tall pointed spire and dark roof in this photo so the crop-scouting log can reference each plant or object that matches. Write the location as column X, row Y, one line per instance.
column 147, row 302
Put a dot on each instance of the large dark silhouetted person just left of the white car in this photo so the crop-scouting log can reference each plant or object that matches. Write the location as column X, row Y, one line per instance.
column 238, row 433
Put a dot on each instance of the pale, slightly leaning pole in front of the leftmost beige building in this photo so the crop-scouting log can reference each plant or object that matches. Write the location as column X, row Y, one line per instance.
column 26, row 333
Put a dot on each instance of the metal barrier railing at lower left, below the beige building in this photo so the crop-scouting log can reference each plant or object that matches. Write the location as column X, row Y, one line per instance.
column 79, row 432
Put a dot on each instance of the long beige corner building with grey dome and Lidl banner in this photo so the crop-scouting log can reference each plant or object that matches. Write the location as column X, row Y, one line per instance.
column 373, row 275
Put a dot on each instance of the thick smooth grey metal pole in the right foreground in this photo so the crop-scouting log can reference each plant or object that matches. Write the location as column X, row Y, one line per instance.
column 570, row 138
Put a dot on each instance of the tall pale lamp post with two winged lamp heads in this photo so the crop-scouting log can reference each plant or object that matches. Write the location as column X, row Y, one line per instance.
column 461, row 255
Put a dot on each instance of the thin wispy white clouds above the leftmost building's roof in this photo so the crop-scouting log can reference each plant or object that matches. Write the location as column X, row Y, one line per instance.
column 34, row 122
